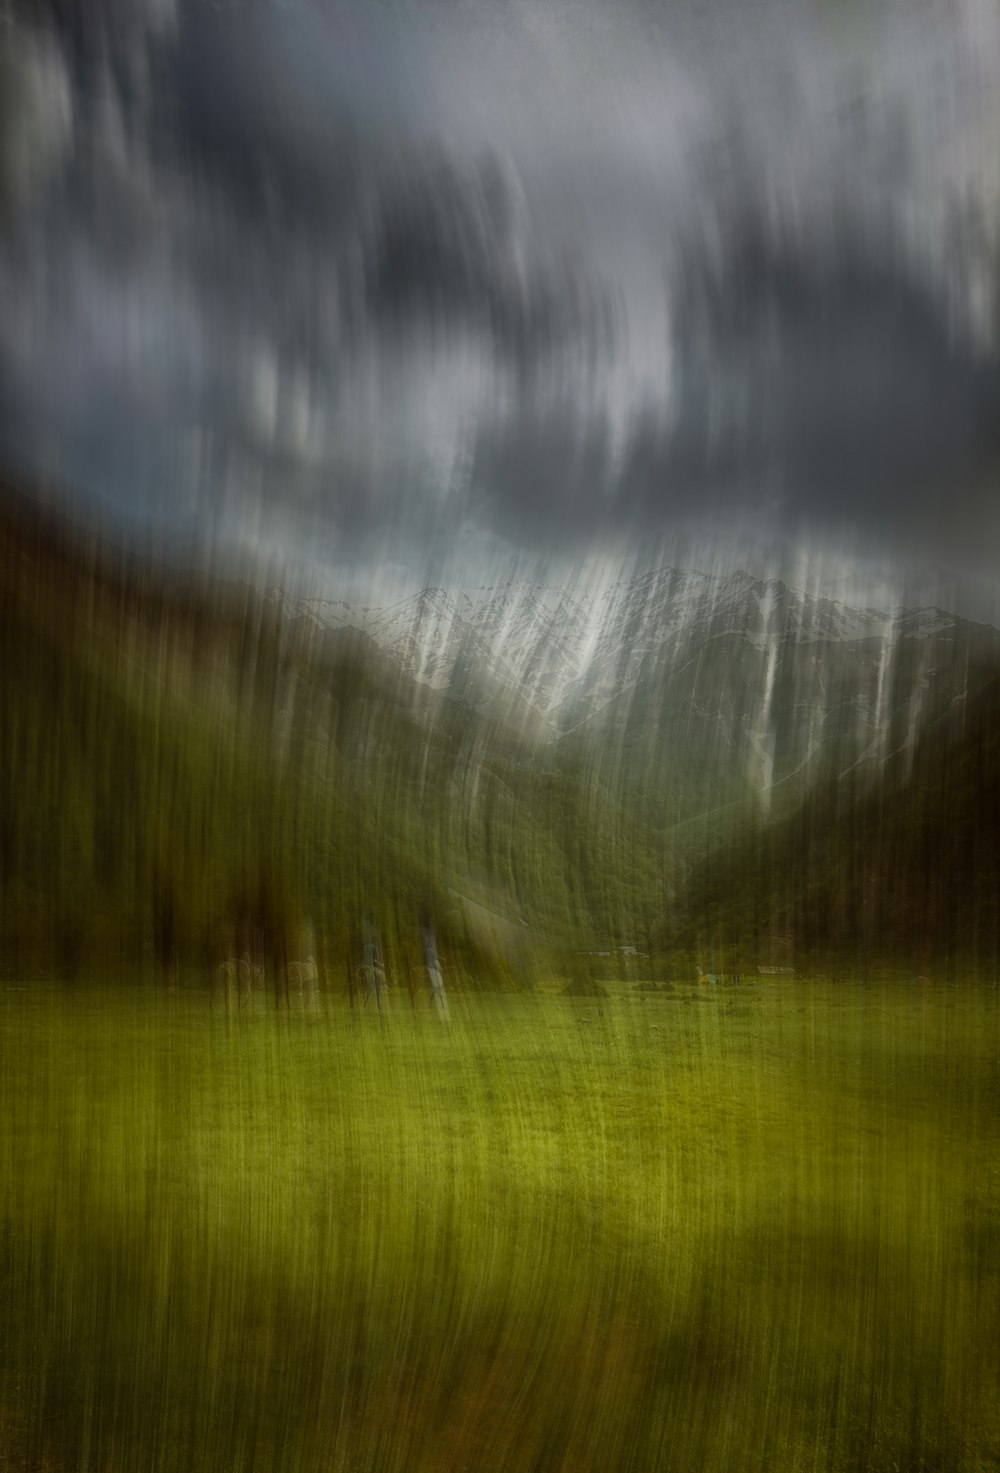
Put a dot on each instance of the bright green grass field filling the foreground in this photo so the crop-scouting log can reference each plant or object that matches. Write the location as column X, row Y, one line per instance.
column 699, row 1231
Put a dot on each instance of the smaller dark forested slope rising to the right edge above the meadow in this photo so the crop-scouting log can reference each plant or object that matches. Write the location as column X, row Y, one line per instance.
column 898, row 870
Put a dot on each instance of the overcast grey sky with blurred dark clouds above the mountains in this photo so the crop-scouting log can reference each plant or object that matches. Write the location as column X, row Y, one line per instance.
column 426, row 286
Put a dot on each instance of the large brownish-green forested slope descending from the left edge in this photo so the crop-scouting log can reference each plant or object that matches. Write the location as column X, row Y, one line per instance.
column 185, row 771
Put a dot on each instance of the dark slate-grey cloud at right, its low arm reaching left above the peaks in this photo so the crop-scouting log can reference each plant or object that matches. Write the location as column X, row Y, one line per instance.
column 818, row 388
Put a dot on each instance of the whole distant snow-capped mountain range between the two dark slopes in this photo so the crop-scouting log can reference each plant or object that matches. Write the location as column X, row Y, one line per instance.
column 778, row 675
